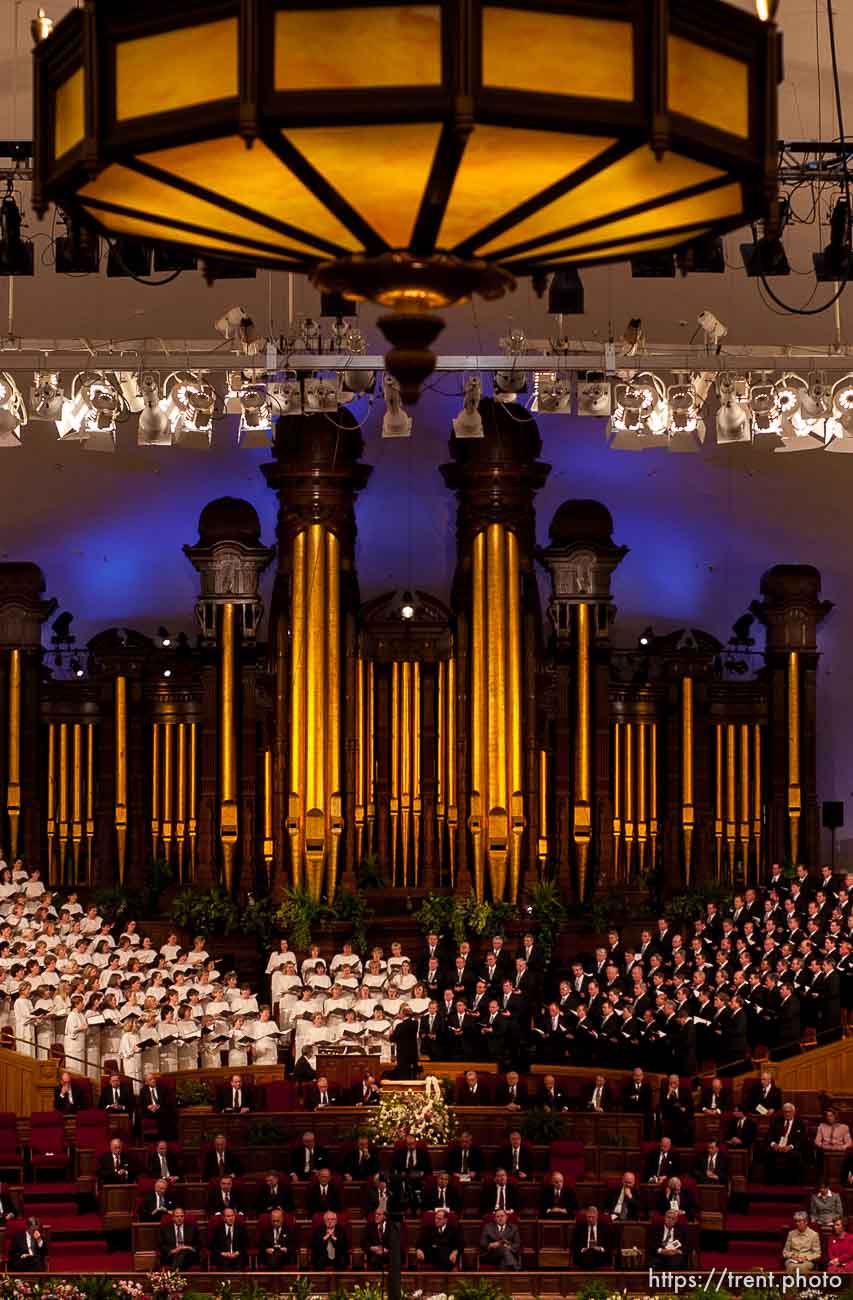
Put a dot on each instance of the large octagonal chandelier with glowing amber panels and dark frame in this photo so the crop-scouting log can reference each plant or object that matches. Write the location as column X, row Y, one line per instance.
column 409, row 154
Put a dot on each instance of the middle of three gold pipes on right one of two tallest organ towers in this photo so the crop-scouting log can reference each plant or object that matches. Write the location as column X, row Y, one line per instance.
column 497, row 809
